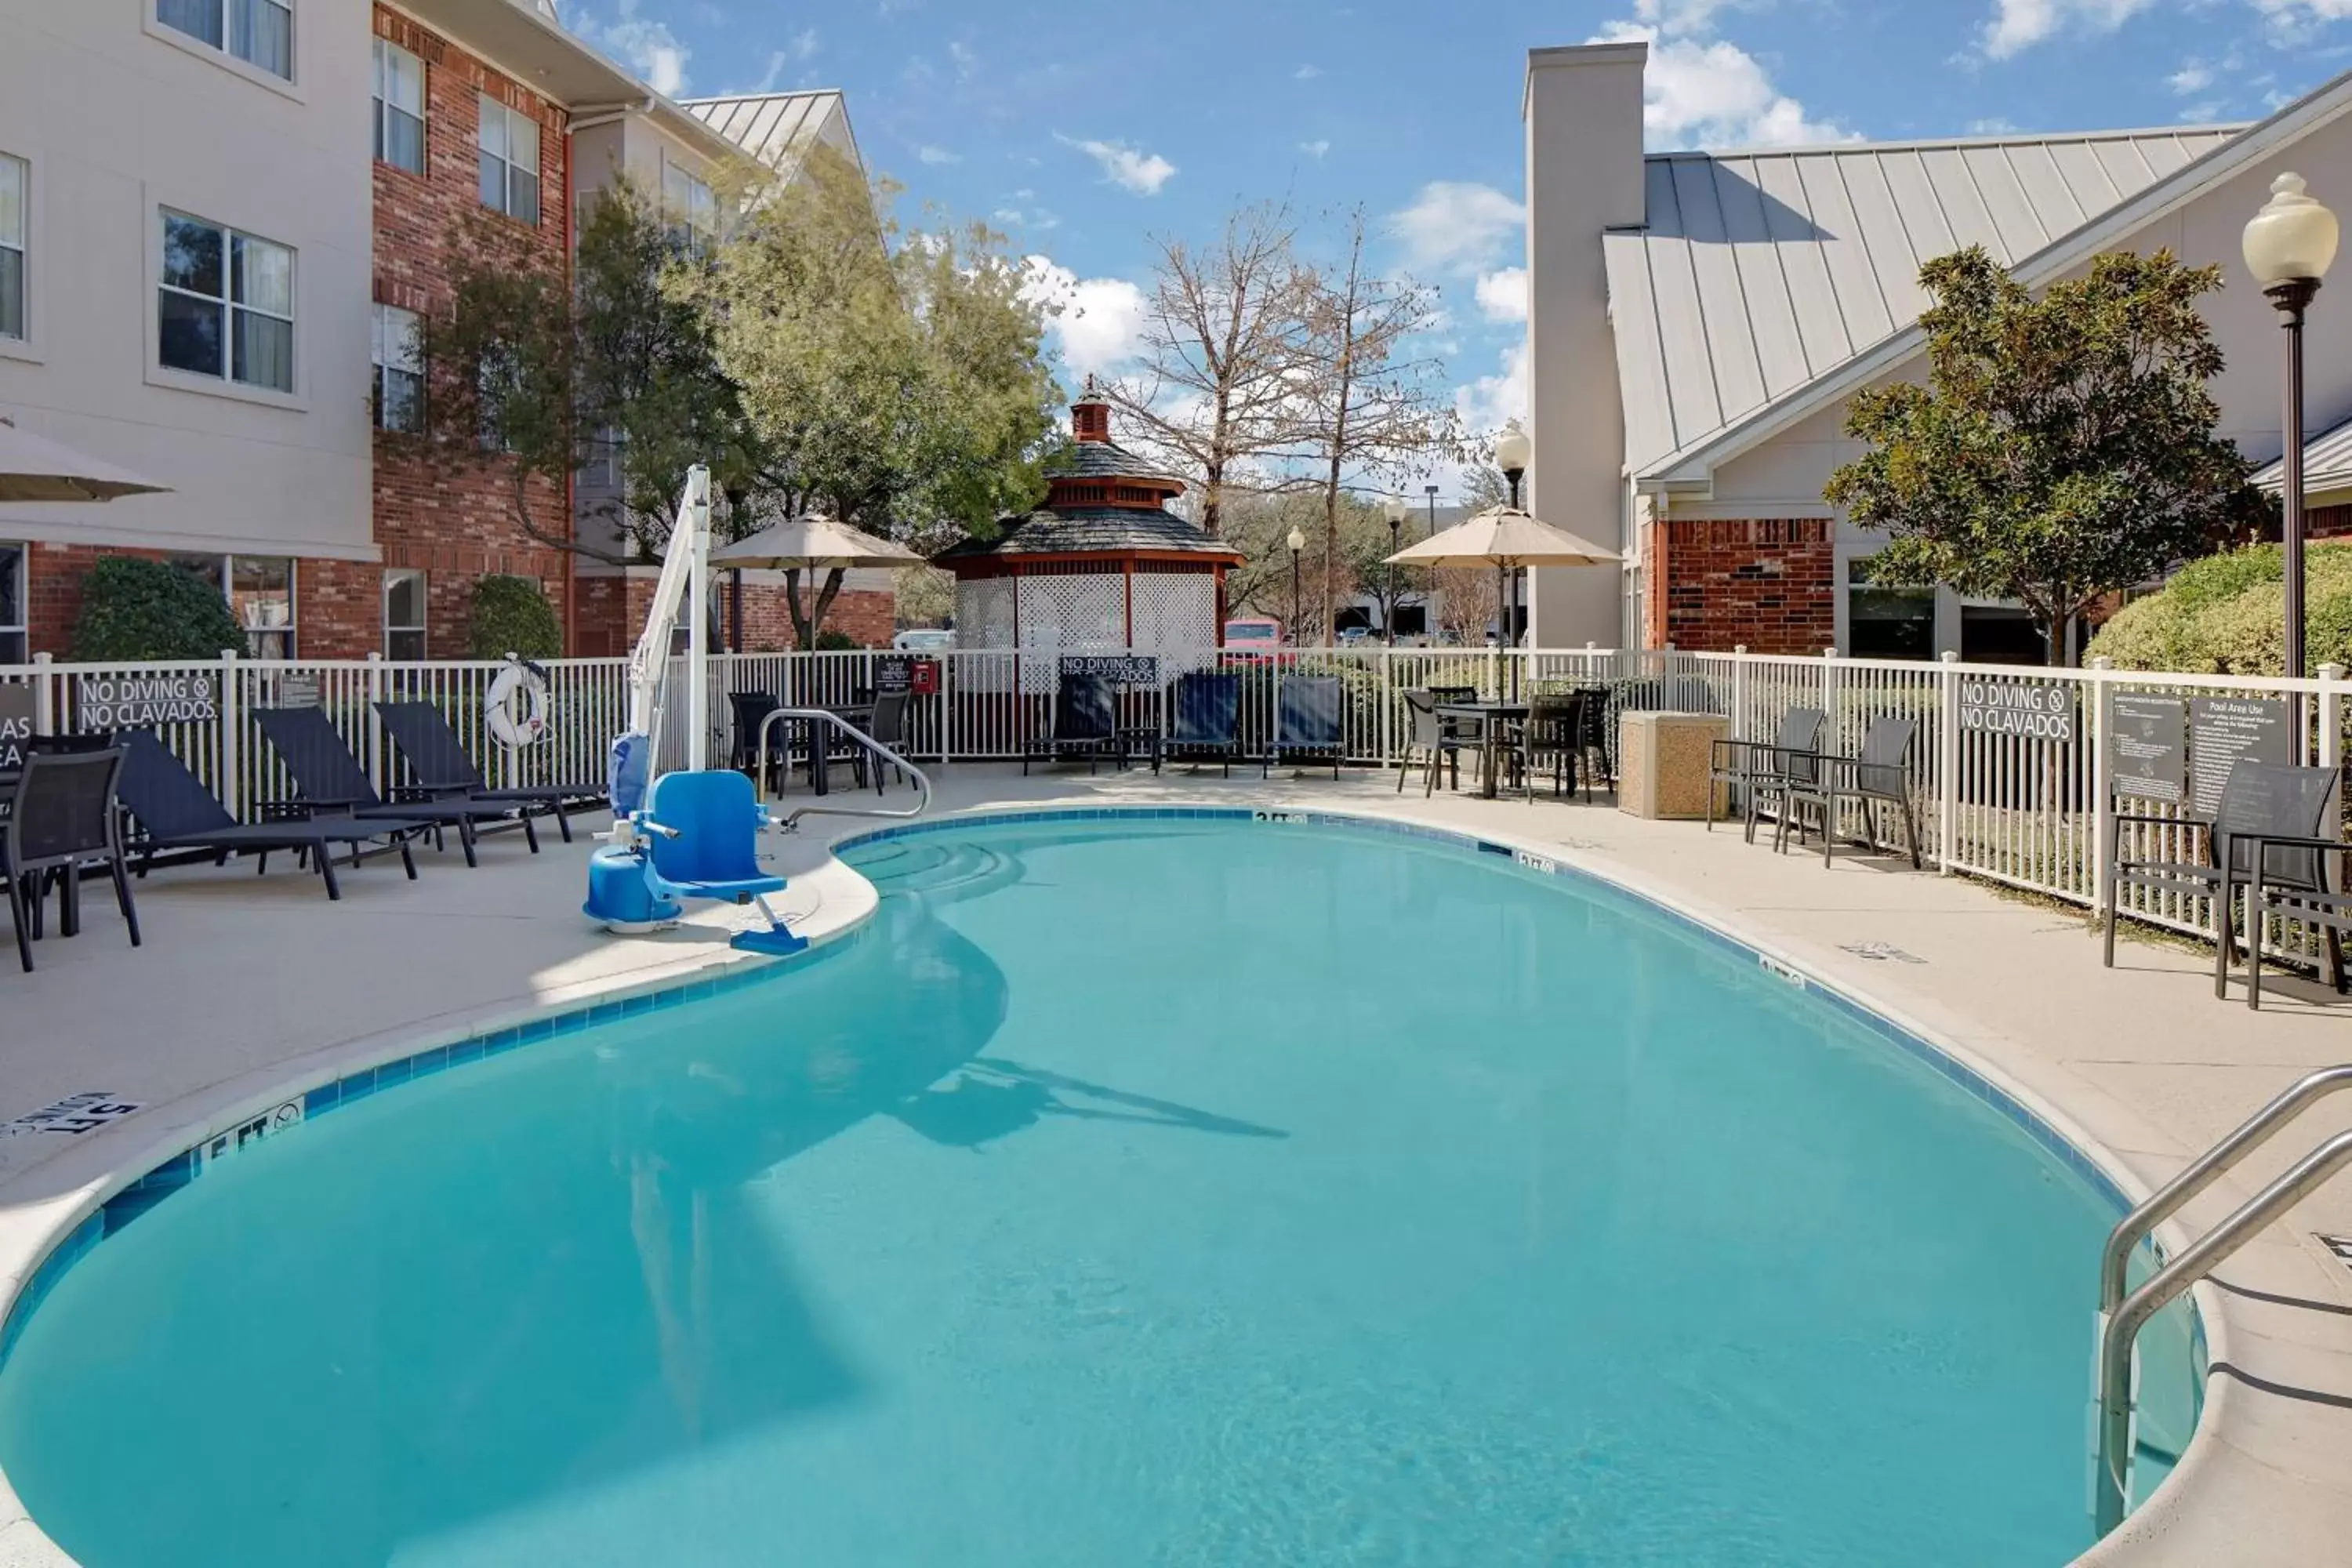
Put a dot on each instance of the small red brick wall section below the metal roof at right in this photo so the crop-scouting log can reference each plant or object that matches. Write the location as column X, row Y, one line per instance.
column 1760, row 582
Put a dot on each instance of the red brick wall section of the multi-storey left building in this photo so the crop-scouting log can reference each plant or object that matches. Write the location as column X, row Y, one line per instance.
column 460, row 521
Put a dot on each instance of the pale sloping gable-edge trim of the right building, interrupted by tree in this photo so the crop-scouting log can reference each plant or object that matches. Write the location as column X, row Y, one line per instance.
column 1692, row 464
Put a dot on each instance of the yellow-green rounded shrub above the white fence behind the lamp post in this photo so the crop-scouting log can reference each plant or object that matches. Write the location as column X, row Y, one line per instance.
column 2226, row 617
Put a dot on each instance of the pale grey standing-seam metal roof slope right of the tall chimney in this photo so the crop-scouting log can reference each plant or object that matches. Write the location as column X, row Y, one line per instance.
column 1765, row 269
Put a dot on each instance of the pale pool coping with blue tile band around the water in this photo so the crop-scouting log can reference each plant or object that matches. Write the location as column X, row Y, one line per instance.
column 126, row 1177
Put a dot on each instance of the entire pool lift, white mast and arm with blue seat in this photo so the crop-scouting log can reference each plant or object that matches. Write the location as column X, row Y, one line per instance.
column 709, row 850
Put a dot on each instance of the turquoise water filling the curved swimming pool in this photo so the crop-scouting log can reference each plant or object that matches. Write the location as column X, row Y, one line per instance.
column 1128, row 1195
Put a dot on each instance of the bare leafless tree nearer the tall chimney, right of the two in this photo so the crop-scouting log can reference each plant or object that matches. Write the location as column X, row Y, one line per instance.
column 1375, row 406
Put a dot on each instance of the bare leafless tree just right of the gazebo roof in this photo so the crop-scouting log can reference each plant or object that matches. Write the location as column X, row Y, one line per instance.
column 1224, row 340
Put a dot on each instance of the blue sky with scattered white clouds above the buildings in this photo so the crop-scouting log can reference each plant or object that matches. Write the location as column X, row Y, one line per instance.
column 1083, row 128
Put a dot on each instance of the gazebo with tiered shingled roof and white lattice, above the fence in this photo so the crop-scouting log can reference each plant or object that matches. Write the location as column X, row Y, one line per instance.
column 1102, row 565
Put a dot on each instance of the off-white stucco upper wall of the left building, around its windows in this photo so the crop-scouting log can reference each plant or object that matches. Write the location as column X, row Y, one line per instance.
column 119, row 121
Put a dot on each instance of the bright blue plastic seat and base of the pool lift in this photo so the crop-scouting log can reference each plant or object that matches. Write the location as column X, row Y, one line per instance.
column 700, row 840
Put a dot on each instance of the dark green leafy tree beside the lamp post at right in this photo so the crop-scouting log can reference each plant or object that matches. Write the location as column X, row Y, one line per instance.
column 2064, row 445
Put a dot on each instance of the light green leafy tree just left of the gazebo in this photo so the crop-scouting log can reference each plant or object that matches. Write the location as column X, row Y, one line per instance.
column 888, row 380
